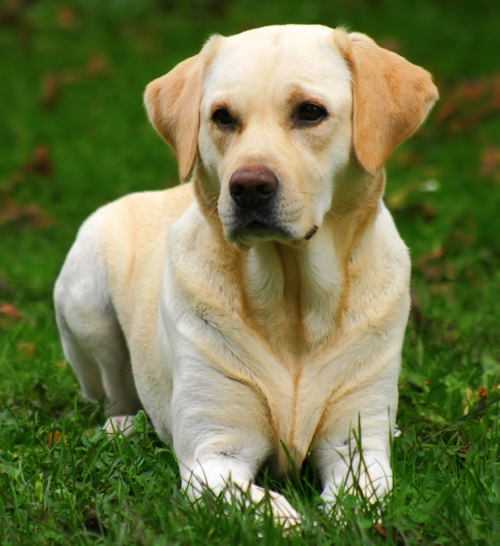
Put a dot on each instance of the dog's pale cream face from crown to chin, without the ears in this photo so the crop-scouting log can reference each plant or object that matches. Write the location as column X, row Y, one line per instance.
column 275, row 129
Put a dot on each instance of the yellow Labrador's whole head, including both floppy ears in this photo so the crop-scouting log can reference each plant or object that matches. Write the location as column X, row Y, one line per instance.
column 273, row 118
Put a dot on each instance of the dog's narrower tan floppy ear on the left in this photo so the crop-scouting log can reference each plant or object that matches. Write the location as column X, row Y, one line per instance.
column 173, row 106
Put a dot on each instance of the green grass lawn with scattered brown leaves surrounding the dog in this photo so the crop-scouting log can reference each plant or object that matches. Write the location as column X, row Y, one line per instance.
column 63, row 481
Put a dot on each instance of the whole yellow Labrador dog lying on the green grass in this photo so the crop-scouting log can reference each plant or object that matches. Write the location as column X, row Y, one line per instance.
column 264, row 303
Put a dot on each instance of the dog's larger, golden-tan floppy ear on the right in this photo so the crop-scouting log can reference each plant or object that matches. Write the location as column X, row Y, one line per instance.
column 391, row 98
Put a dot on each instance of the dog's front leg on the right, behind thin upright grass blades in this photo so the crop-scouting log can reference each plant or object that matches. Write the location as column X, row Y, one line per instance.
column 353, row 451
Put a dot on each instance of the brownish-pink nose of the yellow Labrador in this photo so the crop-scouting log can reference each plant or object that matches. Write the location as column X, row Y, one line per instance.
column 252, row 186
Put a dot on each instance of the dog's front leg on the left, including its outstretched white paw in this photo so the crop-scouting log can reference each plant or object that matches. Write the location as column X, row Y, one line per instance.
column 221, row 437
